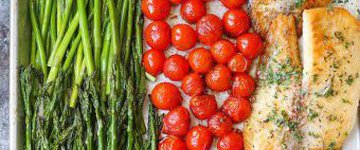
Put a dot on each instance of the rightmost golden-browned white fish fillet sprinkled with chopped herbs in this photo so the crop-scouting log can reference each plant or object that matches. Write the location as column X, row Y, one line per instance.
column 331, row 82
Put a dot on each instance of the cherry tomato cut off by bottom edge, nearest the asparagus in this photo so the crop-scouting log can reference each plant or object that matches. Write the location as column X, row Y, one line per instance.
column 172, row 143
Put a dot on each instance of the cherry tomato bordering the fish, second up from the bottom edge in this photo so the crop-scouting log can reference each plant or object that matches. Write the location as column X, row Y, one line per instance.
column 238, row 109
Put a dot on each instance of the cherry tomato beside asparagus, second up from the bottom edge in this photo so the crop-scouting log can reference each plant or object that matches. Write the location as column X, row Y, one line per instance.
column 176, row 122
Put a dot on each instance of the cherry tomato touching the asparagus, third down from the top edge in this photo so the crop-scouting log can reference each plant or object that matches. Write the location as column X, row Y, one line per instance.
column 153, row 61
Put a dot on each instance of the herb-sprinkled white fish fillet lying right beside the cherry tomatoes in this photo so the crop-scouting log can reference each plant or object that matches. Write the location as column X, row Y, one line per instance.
column 274, row 123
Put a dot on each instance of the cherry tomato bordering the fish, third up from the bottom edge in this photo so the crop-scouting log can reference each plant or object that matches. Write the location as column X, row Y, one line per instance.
column 243, row 85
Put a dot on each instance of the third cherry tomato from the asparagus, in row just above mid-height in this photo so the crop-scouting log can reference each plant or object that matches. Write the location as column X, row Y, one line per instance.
column 200, row 60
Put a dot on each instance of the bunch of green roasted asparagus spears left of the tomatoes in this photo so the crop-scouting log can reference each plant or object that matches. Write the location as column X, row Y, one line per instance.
column 84, row 87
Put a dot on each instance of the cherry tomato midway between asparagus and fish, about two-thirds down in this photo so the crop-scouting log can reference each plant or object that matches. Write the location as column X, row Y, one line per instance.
column 203, row 106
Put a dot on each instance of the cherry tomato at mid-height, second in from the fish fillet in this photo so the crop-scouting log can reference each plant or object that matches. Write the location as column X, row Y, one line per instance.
column 219, row 78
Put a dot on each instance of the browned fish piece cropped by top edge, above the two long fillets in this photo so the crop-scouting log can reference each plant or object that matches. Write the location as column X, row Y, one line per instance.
column 263, row 12
